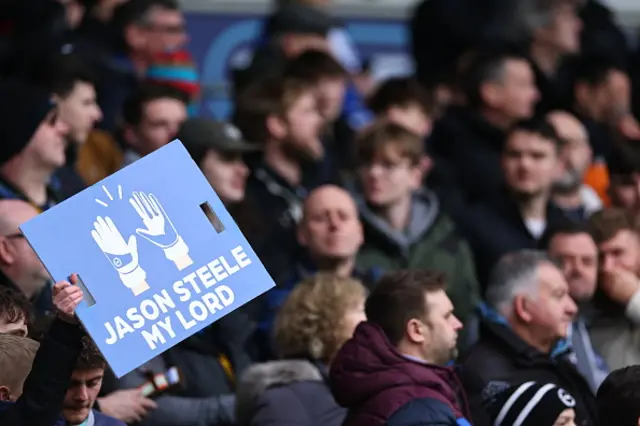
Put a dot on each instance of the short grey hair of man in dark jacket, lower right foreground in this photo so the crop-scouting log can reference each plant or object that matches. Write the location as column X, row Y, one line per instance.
column 516, row 273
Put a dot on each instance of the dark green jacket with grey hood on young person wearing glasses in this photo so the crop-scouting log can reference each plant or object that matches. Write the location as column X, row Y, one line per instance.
column 429, row 242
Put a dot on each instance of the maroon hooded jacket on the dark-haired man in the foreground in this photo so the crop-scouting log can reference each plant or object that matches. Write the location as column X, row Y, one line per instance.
column 381, row 386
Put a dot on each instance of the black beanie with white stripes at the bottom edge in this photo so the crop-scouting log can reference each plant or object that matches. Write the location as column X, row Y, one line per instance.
column 528, row 404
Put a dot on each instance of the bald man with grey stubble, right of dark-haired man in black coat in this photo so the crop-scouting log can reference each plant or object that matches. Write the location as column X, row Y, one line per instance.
column 577, row 200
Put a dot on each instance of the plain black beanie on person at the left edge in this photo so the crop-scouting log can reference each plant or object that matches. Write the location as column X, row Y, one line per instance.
column 22, row 108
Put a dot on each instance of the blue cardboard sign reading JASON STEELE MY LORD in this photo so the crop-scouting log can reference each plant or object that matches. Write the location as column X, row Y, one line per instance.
column 158, row 254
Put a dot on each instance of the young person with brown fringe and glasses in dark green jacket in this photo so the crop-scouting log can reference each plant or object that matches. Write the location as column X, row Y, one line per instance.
column 404, row 226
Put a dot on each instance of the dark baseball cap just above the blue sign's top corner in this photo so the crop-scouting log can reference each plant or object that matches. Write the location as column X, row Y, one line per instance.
column 198, row 135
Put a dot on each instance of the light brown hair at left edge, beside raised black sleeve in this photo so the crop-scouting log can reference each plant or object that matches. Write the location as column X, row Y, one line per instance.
column 16, row 359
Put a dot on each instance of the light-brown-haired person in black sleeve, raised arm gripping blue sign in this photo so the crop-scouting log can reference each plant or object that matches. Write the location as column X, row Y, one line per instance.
column 34, row 378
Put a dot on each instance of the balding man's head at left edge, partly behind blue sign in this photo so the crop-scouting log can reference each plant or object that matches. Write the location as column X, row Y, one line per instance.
column 20, row 267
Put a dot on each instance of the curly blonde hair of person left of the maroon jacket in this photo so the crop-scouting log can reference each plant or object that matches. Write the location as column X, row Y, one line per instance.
column 310, row 322
